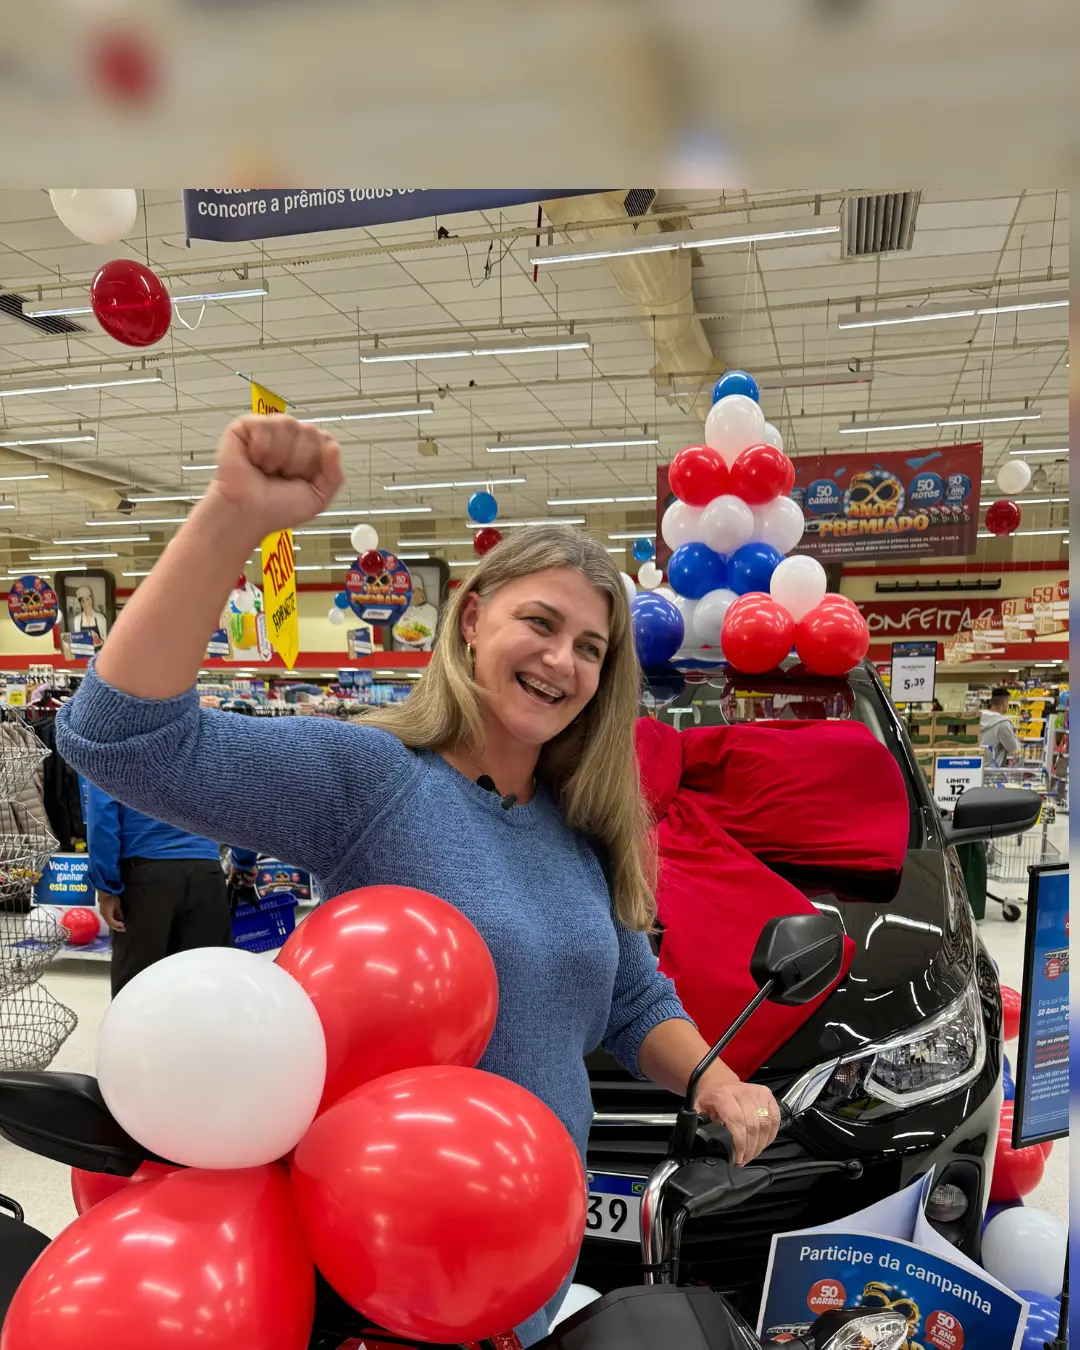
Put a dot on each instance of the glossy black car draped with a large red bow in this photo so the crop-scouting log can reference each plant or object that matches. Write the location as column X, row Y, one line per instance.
column 901, row 1067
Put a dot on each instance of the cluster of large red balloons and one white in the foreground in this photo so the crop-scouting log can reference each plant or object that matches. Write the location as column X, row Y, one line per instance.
column 352, row 1058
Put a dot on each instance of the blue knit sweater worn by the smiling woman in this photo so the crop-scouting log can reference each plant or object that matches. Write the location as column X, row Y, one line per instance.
column 357, row 808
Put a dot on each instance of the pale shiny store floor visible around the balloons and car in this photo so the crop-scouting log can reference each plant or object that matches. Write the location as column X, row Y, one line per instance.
column 43, row 1187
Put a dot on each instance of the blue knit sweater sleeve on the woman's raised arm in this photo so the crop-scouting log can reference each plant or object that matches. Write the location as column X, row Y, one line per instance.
column 303, row 789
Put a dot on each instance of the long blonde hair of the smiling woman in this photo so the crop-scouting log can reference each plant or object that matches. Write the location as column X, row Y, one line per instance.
column 592, row 767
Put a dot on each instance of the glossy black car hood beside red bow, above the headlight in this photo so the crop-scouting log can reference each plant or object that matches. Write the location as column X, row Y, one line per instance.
column 913, row 956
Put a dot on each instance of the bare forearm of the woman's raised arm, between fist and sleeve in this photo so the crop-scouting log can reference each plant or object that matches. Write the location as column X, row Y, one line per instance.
column 160, row 638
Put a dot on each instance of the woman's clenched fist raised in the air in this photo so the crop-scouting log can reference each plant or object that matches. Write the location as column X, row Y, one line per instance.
column 276, row 472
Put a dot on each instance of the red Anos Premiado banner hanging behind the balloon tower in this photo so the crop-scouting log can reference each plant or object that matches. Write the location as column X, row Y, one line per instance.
column 902, row 504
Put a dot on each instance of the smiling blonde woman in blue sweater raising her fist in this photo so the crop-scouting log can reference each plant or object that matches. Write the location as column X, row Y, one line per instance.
column 507, row 784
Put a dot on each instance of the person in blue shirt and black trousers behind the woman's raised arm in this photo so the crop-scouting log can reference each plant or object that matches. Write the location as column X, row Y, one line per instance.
column 160, row 889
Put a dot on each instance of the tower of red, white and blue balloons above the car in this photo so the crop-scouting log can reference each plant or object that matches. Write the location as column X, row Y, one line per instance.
column 730, row 529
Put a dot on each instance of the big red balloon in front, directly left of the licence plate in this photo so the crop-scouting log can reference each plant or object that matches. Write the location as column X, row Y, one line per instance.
column 443, row 1204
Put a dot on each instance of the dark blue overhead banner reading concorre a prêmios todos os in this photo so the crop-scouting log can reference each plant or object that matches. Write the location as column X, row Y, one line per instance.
column 232, row 215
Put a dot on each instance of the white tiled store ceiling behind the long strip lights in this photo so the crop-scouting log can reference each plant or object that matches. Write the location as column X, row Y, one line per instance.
column 770, row 311
